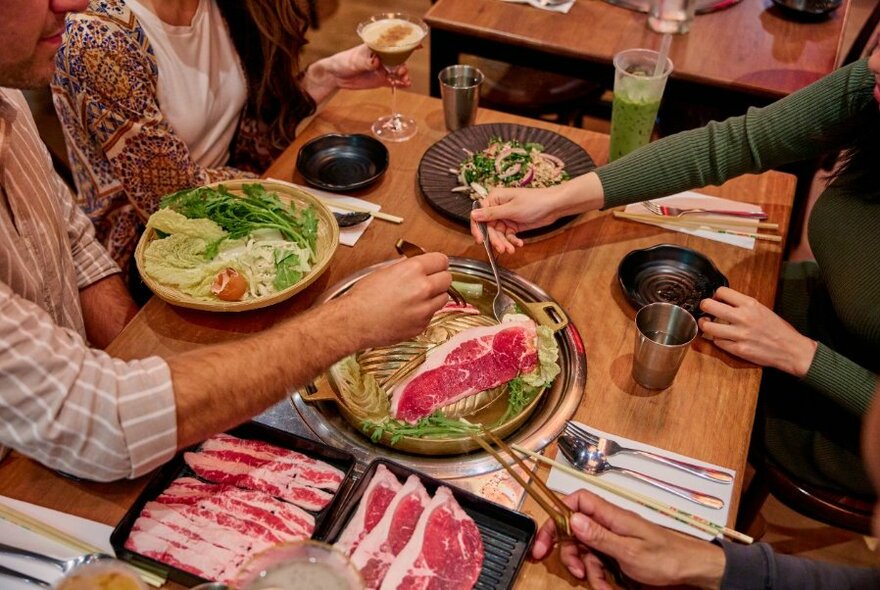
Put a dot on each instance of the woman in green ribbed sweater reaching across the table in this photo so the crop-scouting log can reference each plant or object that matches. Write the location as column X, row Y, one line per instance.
column 824, row 340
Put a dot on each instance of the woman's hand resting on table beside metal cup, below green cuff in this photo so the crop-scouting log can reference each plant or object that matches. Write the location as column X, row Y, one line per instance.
column 752, row 331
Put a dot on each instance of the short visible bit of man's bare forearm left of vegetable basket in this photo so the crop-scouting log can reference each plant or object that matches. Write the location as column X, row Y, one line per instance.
column 107, row 307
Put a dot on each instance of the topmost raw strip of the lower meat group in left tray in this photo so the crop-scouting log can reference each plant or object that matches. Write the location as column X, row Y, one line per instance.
column 277, row 515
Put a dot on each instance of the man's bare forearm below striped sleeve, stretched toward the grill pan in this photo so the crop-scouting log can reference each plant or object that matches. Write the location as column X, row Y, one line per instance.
column 219, row 387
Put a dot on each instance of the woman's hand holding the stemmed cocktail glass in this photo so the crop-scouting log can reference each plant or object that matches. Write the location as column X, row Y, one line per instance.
column 355, row 68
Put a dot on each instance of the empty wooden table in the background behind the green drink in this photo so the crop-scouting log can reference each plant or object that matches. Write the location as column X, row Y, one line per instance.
column 748, row 54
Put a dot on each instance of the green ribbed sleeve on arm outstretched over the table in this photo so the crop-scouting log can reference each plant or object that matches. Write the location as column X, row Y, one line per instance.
column 786, row 131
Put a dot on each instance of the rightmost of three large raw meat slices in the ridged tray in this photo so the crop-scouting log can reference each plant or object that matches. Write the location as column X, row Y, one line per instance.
column 445, row 551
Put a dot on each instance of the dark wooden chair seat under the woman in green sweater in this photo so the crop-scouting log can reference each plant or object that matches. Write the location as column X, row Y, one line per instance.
column 836, row 509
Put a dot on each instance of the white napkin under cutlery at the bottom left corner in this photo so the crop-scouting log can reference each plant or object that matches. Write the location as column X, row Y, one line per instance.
column 93, row 533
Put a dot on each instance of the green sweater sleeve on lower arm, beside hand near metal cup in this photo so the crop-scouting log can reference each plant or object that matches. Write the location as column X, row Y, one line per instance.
column 839, row 378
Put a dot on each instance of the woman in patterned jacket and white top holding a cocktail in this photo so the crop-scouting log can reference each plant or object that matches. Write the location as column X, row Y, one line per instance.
column 160, row 95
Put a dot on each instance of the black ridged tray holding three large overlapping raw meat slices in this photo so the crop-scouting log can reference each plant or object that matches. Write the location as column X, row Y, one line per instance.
column 399, row 525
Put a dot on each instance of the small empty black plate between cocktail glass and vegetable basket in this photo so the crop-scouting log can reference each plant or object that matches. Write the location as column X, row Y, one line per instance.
column 340, row 163
